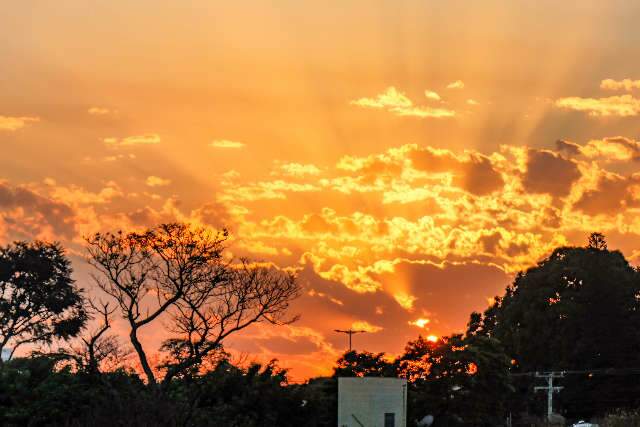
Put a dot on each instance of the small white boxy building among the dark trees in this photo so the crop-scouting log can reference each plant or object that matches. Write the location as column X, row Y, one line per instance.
column 372, row 402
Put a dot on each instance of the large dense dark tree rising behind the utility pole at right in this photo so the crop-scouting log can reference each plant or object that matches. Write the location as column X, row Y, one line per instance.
column 576, row 310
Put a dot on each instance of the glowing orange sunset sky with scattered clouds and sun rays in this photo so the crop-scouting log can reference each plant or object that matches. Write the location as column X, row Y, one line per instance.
column 406, row 158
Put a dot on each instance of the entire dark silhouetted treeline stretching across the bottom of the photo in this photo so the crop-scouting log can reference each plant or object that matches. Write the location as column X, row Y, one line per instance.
column 578, row 311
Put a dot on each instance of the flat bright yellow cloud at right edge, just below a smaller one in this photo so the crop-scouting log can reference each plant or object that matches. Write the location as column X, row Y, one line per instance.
column 621, row 106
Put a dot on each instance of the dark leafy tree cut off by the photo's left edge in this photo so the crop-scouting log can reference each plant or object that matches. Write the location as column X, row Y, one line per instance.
column 39, row 301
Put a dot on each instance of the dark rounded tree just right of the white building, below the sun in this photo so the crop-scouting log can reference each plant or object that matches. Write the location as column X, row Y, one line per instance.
column 460, row 380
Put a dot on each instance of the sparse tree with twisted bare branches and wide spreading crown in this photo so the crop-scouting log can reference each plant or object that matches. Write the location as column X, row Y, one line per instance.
column 179, row 272
